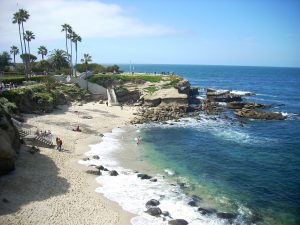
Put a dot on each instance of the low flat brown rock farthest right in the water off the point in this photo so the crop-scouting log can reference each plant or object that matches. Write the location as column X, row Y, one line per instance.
column 252, row 114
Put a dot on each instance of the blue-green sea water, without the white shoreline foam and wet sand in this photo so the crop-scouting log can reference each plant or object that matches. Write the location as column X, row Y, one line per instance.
column 251, row 168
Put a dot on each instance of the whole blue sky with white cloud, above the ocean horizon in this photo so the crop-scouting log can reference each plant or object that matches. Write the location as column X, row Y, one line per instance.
column 204, row 32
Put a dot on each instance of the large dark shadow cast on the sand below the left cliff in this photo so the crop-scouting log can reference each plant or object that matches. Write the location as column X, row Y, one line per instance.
column 35, row 179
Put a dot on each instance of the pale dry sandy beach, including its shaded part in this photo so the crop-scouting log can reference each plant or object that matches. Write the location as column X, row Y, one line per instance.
column 50, row 187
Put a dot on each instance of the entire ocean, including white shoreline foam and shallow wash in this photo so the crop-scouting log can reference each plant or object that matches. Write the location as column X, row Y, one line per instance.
column 251, row 171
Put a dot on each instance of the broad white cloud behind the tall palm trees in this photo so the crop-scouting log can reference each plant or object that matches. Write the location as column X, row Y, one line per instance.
column 89, row 18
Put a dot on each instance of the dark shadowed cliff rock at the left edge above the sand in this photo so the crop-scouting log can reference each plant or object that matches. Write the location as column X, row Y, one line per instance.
column 9, row 143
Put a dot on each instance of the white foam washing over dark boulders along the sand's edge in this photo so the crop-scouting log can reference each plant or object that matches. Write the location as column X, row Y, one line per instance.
column 132, row 193
